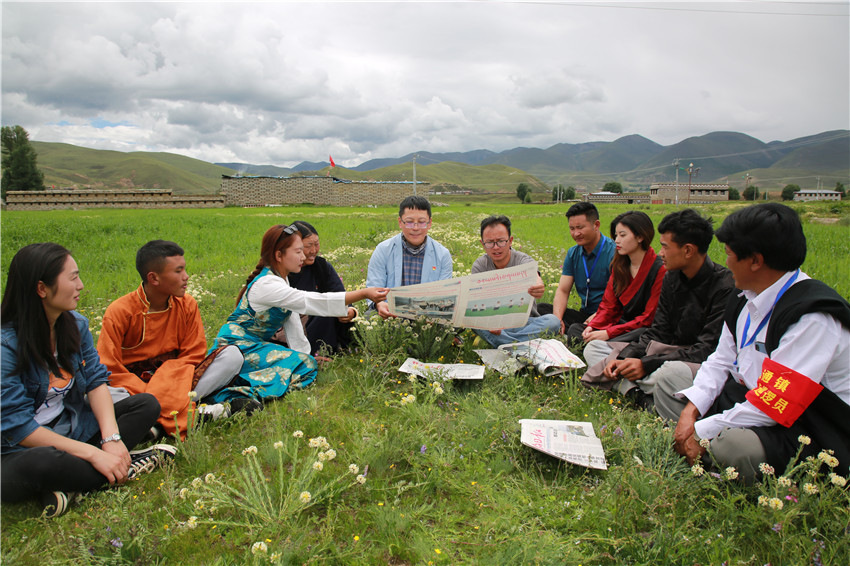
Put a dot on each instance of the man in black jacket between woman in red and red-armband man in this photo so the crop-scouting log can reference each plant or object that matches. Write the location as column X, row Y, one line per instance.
column 687, row 323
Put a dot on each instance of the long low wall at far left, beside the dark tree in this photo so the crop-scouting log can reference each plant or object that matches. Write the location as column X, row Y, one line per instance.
column 56, row 199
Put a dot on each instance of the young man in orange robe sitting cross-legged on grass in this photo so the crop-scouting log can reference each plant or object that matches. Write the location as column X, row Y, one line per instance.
column 153, row 341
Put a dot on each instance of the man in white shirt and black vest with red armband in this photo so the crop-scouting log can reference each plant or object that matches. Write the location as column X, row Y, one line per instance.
column 802, row 328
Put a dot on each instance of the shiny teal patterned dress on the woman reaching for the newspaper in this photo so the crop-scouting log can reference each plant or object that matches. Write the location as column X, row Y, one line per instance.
column 269, row 370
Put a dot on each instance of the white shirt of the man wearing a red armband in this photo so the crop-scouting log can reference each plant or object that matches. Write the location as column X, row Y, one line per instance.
column 817, row 346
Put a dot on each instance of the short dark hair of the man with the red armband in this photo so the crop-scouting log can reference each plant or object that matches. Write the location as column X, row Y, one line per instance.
column 770, row 229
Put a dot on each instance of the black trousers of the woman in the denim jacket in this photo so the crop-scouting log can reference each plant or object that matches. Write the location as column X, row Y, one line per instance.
column 28, row 473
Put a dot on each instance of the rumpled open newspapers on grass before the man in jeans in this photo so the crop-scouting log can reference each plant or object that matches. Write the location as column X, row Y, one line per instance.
column 550, row 357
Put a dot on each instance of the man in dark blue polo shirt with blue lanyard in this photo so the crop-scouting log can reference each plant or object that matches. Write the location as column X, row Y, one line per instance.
column 587, row 266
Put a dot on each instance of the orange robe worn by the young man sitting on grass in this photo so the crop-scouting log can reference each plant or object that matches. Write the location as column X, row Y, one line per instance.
column 132, row 334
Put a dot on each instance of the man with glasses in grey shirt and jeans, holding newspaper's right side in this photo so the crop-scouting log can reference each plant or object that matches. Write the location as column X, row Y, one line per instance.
column 496, row 239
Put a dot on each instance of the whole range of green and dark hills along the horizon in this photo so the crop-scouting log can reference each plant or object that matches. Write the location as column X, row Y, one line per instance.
column 632, row 160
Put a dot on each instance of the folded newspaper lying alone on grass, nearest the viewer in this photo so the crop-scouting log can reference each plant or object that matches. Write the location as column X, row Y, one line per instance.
column 571, row 441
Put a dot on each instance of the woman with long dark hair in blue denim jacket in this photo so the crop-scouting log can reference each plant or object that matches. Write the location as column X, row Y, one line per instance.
column 60, row 431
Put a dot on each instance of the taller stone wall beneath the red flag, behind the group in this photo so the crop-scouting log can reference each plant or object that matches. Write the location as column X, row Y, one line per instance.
column 262, row 191
